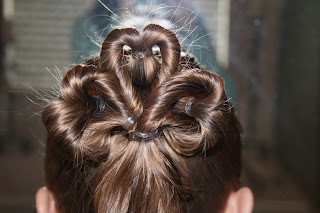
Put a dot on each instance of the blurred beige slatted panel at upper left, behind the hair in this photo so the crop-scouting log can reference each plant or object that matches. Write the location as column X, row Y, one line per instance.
column 41, row 37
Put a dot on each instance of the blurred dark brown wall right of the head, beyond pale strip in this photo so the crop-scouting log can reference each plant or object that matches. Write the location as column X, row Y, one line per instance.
column 274, row 53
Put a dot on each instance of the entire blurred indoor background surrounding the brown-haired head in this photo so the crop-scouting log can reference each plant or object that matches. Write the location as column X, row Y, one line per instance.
column 268, row 51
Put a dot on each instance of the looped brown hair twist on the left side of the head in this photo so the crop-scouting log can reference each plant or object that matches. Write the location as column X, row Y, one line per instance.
column 90, row 105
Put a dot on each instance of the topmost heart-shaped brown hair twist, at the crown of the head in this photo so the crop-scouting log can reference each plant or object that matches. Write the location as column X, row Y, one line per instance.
column 137, row 73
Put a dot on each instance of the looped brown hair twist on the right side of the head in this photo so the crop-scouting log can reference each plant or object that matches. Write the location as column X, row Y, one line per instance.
column 172, row 100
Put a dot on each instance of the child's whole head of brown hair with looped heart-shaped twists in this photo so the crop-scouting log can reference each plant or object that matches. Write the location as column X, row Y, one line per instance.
column 141, row 129
